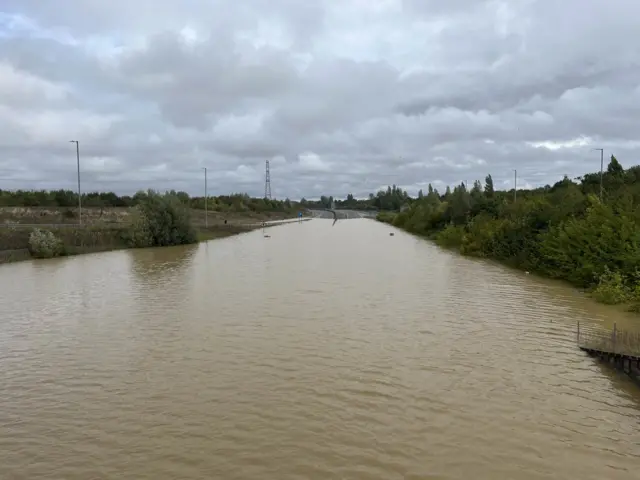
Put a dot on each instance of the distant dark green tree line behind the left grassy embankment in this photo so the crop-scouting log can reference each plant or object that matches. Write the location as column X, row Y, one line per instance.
column 238, row 202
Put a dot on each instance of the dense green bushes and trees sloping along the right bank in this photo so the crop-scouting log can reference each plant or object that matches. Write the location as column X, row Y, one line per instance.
column 565, row 231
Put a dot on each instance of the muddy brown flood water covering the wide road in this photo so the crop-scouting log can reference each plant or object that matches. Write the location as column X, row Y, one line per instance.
column 319, row 353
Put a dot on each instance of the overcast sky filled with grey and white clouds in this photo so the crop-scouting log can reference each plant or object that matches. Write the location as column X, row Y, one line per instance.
column 340, row 95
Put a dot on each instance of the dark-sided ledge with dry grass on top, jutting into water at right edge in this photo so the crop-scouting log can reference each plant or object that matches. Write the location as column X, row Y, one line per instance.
column 619, row 348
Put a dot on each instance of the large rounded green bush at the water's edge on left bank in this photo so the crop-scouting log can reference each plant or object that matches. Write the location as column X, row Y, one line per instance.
column 160, row 220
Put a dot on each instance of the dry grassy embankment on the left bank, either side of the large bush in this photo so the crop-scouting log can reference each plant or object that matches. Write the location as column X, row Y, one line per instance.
column 108, row 228
